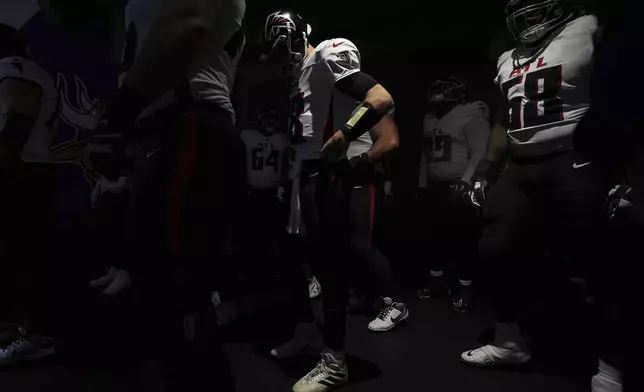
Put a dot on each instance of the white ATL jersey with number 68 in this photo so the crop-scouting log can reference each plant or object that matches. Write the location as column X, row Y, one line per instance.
column 548, row 96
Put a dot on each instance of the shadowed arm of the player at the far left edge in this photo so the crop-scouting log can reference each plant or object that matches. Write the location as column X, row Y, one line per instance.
column 20, row 105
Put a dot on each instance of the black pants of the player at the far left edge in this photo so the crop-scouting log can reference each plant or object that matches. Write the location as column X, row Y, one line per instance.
column 25, row 207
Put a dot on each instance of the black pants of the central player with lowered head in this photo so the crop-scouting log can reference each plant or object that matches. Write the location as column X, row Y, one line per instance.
column 339, row 209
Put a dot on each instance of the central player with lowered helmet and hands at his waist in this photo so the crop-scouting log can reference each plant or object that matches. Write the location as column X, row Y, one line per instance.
column 333, row 101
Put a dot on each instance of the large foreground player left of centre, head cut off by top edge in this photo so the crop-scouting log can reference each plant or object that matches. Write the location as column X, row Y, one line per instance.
column 180, row 61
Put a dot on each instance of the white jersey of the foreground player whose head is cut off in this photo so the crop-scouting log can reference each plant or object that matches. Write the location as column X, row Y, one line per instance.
column 213, row 73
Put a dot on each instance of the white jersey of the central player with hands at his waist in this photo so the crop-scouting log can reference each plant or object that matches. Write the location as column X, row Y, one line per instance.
column 325, row 109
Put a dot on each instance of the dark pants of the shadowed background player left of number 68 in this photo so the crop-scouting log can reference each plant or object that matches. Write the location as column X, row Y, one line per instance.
column 450, row 230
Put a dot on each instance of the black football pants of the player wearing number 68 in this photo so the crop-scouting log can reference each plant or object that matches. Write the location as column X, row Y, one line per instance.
column 539, row 204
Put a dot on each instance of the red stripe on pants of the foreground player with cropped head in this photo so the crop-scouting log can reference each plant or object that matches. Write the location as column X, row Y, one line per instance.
column 185, row 167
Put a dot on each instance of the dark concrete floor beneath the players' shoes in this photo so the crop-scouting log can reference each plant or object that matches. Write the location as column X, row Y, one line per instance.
column 422, row 355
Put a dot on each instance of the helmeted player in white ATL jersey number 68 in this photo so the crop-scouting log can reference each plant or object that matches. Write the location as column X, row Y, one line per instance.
column 547, row 192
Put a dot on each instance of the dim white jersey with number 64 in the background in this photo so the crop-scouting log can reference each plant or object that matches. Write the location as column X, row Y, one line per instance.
column 265, row 158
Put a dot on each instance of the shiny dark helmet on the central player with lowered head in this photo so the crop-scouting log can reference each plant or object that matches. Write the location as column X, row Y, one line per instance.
column 287, row 29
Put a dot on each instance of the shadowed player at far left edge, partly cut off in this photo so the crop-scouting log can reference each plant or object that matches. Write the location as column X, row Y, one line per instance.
column 29, row 112
